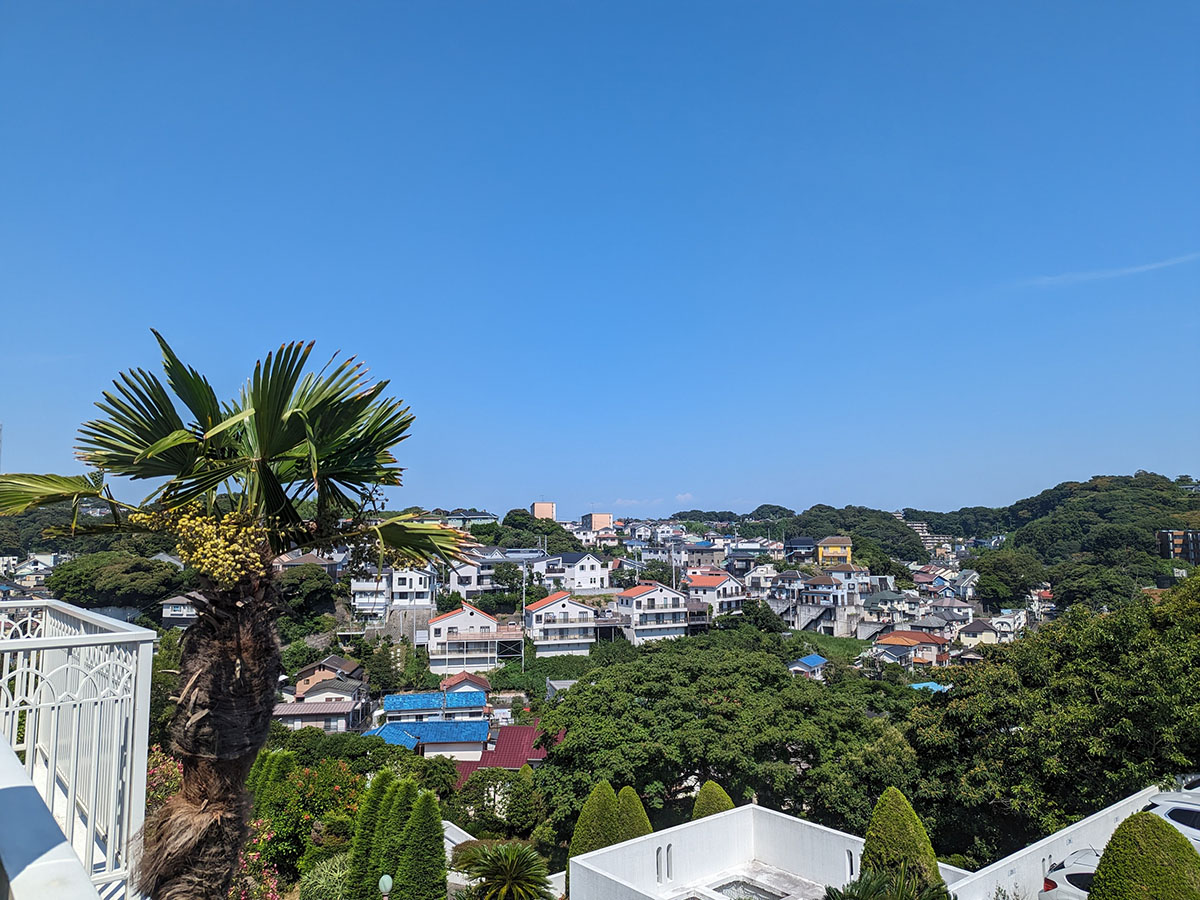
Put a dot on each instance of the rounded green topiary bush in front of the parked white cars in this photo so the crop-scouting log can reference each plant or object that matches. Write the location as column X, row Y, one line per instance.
column 1147, row 859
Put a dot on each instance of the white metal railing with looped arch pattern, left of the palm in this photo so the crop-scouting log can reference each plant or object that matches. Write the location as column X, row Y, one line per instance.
column 75, row 705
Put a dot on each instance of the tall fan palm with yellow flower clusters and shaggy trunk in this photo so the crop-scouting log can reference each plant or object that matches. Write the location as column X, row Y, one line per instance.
column 295, row 463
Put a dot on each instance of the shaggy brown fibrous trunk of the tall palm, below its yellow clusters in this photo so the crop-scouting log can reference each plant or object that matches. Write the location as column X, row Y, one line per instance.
column 229, row 679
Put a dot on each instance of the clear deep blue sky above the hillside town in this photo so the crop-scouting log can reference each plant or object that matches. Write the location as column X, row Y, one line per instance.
column 628, row 256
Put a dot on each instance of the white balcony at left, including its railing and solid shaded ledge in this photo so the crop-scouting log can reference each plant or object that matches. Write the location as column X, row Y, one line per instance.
column 75, row 705
